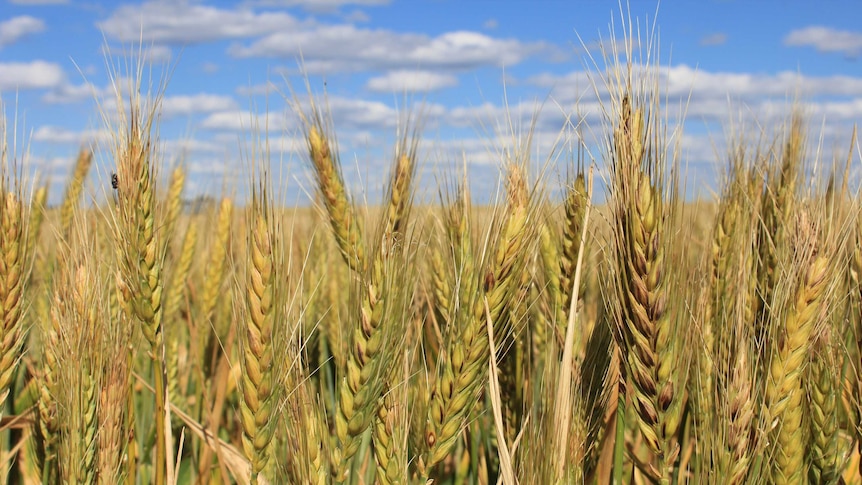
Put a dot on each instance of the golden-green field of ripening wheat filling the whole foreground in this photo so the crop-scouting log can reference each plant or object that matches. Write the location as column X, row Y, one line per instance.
column 539, row 339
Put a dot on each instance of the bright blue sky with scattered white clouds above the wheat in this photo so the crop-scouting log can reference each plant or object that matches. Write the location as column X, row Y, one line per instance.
column 730, row 59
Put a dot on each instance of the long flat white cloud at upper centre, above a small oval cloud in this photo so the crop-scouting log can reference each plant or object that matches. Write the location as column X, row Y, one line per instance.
column 347, row 47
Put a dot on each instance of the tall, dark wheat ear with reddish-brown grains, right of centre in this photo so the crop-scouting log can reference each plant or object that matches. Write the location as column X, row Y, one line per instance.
column 640, row 247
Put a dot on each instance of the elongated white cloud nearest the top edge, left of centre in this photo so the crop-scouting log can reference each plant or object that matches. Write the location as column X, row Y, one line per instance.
column 170, row 22
